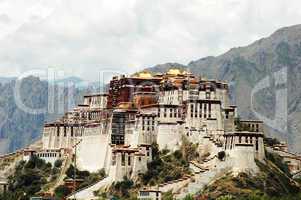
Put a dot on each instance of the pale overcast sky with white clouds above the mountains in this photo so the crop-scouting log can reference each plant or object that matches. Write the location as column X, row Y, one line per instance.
column 82, row 38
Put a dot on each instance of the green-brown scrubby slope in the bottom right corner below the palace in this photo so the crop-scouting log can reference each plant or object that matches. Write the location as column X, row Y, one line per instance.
column 273, row 182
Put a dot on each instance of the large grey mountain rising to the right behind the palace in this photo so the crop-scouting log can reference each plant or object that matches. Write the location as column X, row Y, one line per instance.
column 270, row 69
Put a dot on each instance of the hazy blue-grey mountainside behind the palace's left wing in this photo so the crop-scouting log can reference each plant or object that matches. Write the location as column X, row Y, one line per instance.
column 19, row 128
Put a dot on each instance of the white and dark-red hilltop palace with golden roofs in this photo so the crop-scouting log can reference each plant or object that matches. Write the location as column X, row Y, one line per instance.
column 114, row 131
